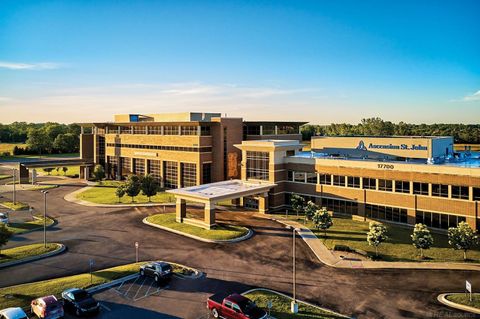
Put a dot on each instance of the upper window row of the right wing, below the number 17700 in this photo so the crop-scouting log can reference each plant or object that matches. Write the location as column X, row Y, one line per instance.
column 418, row 188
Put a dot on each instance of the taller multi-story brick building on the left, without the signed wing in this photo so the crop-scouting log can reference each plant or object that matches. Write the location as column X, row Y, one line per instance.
column 179, row 149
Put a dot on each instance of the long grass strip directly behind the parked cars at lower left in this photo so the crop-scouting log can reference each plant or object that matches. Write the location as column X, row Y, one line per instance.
column 21, row 295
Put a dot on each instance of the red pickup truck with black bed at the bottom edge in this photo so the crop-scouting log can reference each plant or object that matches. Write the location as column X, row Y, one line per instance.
column 234, row 306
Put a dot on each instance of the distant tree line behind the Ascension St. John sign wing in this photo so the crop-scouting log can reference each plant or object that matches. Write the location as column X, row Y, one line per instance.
column 462, row 133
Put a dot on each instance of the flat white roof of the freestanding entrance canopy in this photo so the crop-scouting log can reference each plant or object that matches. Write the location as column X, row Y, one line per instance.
column 223, row 190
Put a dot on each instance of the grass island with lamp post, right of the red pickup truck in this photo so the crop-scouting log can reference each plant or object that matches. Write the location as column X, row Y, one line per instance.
column 280, row 306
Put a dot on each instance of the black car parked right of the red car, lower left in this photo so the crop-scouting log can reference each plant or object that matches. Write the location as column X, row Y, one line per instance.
column 79, row 302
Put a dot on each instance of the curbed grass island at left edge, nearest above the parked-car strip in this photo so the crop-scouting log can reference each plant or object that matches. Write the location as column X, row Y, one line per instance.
column 23, row 254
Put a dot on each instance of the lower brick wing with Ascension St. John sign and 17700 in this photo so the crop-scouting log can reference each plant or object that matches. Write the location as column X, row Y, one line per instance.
column 397, row 179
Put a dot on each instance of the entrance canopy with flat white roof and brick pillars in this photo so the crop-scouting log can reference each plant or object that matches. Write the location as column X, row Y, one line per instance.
column 210, row 194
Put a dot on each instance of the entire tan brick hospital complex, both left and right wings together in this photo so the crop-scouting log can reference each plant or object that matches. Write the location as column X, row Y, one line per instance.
column 396, row 179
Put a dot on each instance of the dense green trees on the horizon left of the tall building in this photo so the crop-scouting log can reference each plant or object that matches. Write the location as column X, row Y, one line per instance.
column 41, row 138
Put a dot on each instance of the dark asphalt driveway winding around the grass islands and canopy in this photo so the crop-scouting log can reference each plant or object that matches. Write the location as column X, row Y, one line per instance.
column 107, row 235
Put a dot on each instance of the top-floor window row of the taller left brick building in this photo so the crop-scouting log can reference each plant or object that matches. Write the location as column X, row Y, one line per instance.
column 159, row 130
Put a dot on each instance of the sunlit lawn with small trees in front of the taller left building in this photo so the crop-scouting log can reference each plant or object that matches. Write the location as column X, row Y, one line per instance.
column 106, row 195
